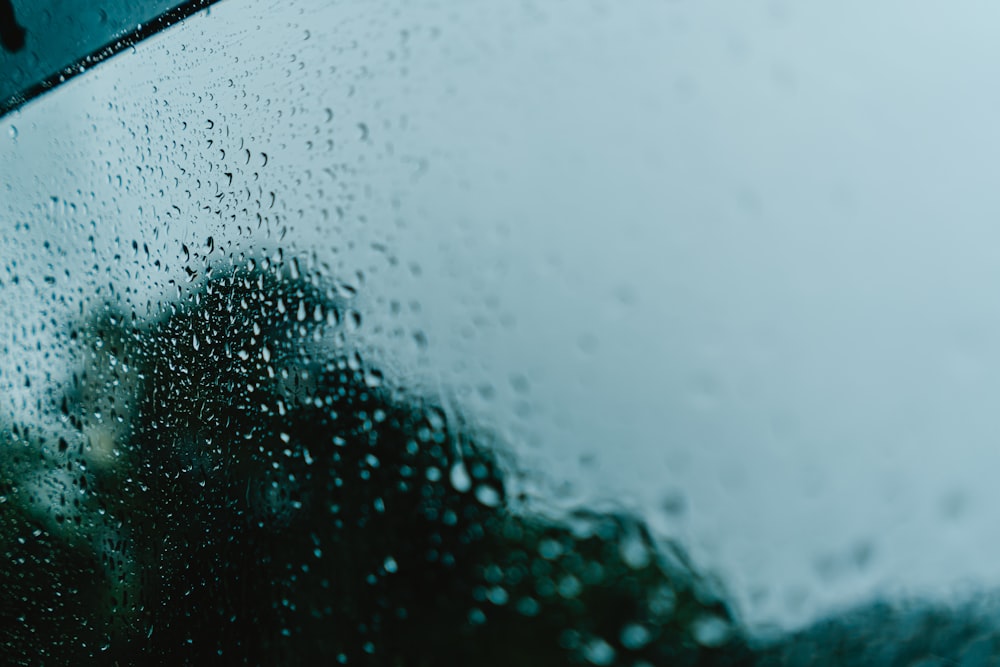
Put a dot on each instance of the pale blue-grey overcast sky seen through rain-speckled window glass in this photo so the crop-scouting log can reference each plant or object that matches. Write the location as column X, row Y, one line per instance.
column 731, row 266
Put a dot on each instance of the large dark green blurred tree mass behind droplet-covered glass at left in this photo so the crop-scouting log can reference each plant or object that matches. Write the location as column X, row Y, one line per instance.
column 247, row 489
